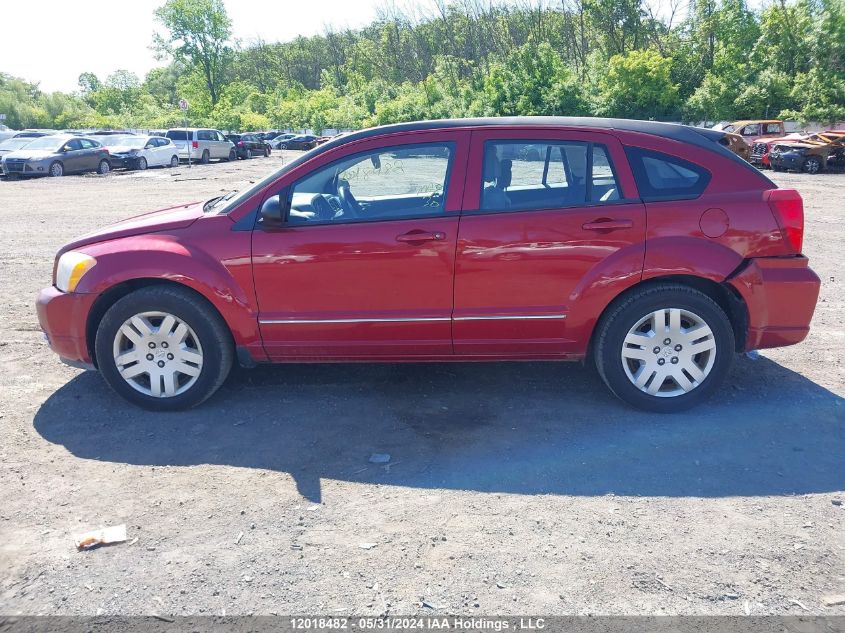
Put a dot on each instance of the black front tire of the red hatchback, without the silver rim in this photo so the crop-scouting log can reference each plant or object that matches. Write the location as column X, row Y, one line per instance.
column 212, row 332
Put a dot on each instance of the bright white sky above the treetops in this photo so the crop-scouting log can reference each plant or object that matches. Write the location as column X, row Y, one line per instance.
column 53, row 51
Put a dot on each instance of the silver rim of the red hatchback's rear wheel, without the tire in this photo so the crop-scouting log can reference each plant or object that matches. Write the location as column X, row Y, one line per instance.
column 668, row 352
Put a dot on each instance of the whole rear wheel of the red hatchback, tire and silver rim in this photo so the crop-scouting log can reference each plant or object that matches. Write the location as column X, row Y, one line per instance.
column 665, row 348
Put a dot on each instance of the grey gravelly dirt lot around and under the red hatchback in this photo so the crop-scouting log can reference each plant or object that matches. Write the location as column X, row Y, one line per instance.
column 512, row 488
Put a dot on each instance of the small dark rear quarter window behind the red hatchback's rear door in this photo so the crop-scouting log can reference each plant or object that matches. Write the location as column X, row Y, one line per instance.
column 663, row 177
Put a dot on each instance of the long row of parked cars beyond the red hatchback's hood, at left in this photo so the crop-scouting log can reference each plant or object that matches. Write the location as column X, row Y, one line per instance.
column 53, row 153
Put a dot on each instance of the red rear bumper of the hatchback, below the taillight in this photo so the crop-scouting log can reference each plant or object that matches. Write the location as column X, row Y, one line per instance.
column 780, row 294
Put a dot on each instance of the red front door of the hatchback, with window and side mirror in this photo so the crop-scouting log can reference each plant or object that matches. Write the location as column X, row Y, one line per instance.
column 363, row 263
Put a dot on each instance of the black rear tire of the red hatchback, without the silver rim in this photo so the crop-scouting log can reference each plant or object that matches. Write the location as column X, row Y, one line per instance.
column 618, row 320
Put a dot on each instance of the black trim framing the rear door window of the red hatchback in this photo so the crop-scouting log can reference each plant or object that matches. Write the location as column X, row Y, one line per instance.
column 588, row 201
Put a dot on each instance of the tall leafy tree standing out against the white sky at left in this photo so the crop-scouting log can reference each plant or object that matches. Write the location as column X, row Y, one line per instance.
column 199, row 32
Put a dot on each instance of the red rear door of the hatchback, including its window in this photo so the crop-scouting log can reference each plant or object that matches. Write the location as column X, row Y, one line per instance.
column 545, row 213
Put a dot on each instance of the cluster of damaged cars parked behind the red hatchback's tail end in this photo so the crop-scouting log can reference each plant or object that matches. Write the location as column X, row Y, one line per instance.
column 766, row 144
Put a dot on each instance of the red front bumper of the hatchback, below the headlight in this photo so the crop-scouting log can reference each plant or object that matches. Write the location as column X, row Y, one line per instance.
column 63, row 317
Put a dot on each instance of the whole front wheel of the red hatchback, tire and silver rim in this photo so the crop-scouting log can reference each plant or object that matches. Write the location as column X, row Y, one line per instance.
column 163, row 348
